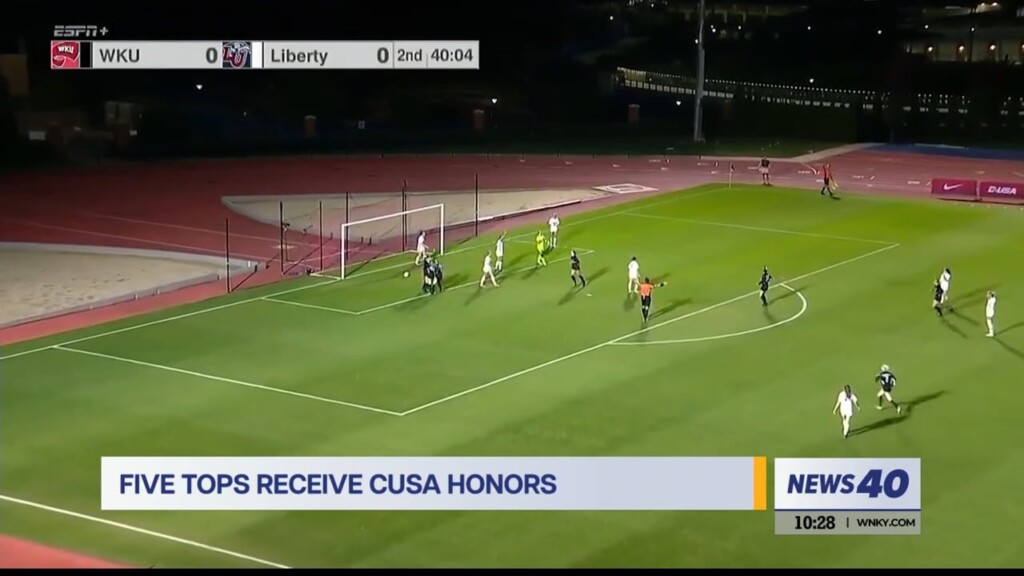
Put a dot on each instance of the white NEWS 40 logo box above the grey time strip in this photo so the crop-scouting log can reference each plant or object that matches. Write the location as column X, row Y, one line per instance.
column 848, row 484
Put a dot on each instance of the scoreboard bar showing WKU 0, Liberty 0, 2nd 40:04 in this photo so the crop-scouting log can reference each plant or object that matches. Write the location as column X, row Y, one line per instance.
column 249, row 55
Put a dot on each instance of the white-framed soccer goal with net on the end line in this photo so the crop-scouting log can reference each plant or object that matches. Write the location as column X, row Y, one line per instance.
column 364, row 243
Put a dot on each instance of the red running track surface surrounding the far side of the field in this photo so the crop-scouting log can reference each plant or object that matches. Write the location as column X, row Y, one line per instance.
column 179, row 207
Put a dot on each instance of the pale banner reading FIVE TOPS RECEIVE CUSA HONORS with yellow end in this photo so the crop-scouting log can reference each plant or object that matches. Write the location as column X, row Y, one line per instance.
column 435, row 484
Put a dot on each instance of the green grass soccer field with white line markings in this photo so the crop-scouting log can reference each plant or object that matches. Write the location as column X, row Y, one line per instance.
column 534, row 368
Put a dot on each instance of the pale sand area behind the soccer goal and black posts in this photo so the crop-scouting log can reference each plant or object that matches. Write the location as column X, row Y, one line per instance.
column 303, row 214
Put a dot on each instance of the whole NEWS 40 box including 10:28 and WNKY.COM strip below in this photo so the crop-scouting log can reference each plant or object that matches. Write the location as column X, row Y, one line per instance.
column 831, row 497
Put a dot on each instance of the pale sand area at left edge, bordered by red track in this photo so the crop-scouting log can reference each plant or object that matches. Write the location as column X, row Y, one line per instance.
column 39, row 280
